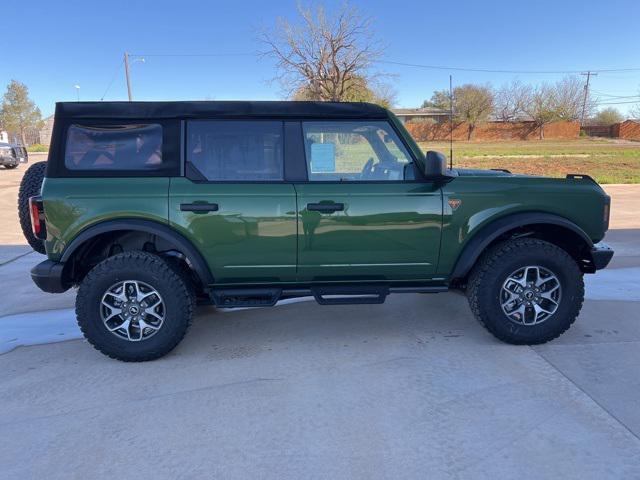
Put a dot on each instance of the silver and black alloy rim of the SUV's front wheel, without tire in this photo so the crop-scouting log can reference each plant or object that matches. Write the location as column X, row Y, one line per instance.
column 530, row 295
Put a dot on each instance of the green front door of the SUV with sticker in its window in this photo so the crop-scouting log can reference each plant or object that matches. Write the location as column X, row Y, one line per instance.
column 363, row 216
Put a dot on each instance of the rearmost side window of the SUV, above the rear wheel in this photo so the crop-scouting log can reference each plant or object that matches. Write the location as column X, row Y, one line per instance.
column 114, row 148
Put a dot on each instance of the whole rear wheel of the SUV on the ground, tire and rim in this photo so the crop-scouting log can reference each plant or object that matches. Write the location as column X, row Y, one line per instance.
column 134, row 307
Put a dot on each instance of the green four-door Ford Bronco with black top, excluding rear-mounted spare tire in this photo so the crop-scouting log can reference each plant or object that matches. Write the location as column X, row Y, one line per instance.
column 153, row 207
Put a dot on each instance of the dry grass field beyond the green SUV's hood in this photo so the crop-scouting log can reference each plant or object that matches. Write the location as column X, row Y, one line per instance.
column 608, row 161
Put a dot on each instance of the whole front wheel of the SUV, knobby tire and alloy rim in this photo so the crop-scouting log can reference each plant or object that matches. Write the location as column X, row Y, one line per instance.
column 526, row 291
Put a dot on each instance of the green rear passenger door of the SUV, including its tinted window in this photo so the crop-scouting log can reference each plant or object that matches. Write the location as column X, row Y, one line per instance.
column 233, row 202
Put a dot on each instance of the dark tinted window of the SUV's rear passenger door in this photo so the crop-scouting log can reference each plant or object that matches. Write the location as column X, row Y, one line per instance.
column 236, row 150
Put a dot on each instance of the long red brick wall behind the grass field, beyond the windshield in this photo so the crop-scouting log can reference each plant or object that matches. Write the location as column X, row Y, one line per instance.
column 424, row 132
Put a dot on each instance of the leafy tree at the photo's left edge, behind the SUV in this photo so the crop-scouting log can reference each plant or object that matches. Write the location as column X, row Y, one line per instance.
column 18, row 112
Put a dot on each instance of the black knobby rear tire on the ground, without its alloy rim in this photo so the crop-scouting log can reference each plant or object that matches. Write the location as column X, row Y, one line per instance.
column 144, row 267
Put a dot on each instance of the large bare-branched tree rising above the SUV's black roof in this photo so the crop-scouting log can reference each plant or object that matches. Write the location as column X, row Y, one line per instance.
column 328, row 57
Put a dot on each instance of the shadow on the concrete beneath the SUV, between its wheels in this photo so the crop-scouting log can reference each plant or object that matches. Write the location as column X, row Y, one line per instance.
column 409, row 318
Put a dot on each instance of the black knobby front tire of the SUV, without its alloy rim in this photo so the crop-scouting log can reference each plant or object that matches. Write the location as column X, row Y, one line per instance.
column 487, row 277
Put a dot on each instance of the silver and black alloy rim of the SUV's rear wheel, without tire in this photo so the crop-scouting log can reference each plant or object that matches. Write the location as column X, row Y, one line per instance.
column 132, row 310
